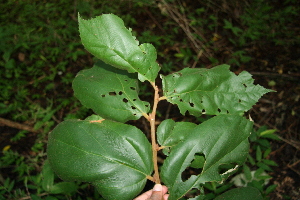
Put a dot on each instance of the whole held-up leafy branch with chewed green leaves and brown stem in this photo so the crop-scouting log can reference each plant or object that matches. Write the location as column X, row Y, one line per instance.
column 117, row 158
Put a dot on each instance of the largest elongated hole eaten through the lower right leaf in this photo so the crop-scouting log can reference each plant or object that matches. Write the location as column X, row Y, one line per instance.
column 195, row 167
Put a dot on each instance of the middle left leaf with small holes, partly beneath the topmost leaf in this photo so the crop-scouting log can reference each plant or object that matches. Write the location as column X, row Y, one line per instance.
column 111, row 93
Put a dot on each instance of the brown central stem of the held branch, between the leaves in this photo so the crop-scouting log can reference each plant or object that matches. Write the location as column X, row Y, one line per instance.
column 155, row 147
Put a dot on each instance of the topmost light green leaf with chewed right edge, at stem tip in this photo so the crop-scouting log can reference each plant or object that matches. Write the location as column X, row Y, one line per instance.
column 108, row 39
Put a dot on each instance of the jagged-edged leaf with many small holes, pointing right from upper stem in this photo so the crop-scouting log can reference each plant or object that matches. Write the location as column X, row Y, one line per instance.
column 211, row 91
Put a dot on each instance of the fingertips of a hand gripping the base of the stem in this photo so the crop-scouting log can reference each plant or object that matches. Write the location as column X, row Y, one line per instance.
column 159, row 192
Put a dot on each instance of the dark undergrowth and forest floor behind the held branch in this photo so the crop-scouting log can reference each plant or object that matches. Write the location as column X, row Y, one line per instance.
column 41, row 54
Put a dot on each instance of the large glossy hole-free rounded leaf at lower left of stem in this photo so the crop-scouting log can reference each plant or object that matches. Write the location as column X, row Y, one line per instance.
column 114, row 157
